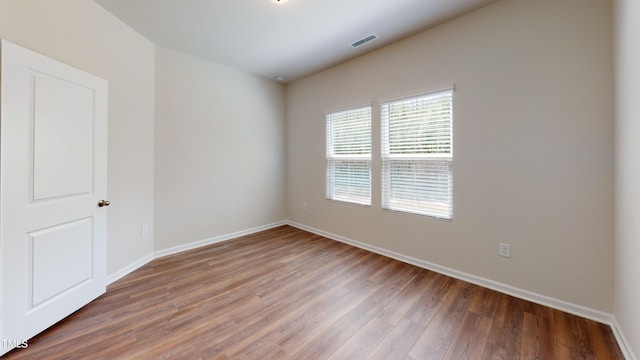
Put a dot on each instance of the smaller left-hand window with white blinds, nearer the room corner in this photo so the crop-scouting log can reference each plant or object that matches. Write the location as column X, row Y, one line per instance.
column 349, row 156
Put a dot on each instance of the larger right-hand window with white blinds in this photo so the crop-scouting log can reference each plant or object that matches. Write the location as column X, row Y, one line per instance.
column 417, row 158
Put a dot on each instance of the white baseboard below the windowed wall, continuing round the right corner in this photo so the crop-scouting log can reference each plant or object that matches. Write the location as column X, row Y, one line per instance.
column 579, row 310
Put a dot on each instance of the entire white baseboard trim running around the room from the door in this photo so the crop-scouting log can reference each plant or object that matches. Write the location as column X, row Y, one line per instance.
column 575, row 309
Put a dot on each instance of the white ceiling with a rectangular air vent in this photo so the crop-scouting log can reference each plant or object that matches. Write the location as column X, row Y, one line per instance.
column 294, row 38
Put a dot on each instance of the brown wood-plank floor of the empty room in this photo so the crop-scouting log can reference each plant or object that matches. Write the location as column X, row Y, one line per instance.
column 288, row 294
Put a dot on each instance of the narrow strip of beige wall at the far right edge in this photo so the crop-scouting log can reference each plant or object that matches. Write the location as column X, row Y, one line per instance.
column 627, row 291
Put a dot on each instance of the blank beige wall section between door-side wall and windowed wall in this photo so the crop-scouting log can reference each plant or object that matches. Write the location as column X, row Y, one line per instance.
column 219, row 150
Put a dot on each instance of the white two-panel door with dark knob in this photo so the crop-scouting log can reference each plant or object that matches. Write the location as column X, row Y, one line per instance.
column 53, row 171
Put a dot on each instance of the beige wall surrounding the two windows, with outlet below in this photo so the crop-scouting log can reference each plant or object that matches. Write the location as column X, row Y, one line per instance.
column 533, row 146
